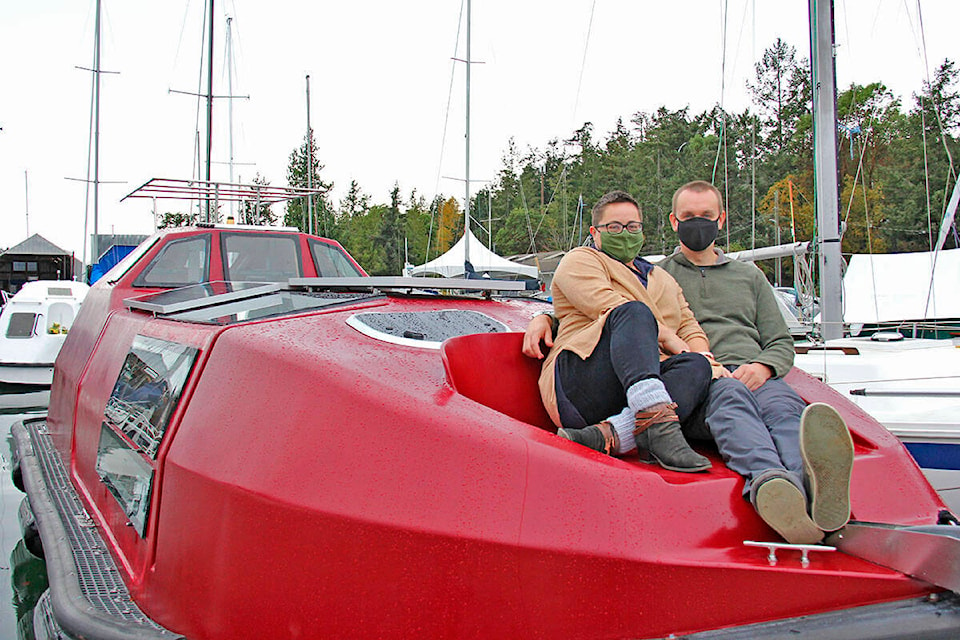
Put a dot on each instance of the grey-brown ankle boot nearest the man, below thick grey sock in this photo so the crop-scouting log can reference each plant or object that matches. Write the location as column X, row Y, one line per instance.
column 659, row 439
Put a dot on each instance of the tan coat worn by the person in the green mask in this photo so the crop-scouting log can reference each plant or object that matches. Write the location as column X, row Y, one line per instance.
column 587, row 285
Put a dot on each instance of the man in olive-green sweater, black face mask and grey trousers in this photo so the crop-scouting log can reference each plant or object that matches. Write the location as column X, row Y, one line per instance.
column 796, row 460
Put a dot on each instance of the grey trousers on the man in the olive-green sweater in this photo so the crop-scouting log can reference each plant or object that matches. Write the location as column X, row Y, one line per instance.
column 757, row 432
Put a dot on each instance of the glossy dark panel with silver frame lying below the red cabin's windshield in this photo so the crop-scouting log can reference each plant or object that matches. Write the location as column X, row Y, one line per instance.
column 232, row 302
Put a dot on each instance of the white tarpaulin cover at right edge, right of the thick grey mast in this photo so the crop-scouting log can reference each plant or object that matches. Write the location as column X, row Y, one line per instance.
column 898, row 286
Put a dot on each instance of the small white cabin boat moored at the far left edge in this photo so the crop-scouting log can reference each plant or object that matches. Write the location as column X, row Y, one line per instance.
column 33, row 326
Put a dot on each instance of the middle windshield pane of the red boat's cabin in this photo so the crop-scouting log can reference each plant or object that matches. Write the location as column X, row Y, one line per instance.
column 261, row 257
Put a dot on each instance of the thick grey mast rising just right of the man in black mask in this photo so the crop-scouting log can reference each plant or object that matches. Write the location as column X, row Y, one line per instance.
column 823, row 68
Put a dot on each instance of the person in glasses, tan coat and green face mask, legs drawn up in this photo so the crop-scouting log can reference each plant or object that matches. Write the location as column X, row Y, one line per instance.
column 605, row 383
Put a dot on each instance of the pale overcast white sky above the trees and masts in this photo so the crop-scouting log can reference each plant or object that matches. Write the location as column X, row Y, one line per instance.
column 380, row 80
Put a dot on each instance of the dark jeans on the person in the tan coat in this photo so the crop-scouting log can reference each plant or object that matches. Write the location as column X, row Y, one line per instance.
column 594, row 389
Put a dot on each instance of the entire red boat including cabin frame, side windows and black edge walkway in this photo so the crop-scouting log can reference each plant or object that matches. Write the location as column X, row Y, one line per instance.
column 359, row 456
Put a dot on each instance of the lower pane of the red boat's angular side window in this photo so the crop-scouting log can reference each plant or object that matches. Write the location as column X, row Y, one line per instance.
column 126, row 475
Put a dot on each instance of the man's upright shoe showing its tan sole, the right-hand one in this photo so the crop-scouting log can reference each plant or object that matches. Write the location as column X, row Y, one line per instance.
column 827, row 451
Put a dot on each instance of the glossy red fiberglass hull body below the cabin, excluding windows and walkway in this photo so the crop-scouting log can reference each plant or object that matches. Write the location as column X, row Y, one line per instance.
column 317, row 482
